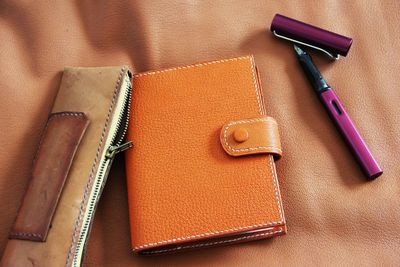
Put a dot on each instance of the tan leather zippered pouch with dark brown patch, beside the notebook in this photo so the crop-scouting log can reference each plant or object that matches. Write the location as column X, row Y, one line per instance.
column 84, row 132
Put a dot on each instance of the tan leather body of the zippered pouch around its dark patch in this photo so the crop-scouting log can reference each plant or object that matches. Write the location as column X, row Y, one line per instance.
column 93, row 91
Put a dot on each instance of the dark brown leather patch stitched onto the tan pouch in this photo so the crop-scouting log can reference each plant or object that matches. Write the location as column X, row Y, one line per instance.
column 53, row 160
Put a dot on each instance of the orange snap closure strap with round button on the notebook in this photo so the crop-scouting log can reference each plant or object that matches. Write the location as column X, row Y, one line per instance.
column 251, row 136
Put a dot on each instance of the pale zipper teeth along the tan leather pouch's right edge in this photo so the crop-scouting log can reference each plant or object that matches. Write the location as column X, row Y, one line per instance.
column 99, row 182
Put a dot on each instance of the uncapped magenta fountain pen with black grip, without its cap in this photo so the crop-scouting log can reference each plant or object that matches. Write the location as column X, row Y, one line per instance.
column 339, row 116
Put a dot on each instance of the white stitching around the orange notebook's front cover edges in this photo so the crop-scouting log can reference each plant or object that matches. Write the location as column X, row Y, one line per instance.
column 250, row 58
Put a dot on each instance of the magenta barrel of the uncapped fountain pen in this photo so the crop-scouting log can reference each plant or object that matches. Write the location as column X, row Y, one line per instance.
column 350, row 134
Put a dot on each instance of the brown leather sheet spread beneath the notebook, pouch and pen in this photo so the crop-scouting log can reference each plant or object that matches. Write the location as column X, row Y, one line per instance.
column 333, row 215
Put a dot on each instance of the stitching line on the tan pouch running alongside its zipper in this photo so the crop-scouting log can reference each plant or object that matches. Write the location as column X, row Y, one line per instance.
column 91, row 175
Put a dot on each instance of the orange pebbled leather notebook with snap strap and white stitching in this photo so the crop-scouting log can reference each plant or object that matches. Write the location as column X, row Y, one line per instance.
column 201, row 172
